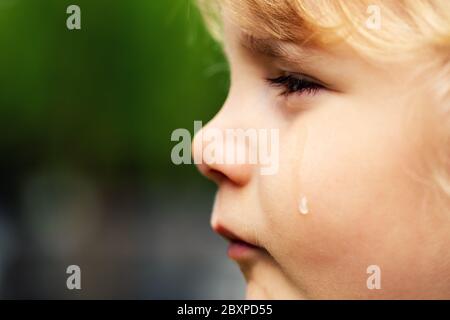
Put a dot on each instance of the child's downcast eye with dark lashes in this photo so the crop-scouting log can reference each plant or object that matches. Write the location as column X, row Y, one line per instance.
column 296, row 83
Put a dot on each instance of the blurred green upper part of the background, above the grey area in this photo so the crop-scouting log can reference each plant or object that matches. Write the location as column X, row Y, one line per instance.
column 107, row 97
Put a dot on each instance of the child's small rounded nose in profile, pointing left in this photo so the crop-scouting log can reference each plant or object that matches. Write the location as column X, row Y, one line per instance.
column 215, row 153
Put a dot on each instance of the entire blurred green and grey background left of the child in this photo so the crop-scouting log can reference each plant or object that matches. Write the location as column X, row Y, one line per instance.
column 86, row 176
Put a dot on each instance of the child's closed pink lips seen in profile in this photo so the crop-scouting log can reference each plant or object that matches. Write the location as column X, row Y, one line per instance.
column 239, row 249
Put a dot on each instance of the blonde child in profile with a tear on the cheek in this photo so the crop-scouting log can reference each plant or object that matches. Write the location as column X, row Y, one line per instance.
column 358, row 92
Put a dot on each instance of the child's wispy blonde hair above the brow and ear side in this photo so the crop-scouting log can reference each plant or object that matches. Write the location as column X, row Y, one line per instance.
column 406, row 27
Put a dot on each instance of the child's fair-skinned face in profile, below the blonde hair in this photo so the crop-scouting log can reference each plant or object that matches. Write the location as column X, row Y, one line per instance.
column 353, row 150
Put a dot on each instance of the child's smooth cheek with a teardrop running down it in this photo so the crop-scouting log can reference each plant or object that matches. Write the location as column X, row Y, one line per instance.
column 361, row 200
